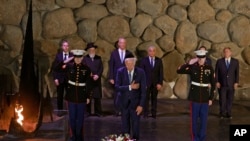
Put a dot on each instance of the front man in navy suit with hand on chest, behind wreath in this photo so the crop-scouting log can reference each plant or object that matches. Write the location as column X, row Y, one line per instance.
column 131, row 83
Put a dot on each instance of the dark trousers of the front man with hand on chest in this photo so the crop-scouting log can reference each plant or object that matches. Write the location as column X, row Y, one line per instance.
column 130, row 121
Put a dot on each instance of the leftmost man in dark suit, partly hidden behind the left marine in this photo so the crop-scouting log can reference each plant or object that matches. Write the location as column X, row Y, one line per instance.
column 60, row 75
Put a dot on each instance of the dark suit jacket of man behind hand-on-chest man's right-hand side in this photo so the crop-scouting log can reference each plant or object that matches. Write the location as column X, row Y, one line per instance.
column 154, row 75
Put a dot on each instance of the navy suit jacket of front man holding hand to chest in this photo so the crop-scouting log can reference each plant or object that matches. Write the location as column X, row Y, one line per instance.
column 136, row 97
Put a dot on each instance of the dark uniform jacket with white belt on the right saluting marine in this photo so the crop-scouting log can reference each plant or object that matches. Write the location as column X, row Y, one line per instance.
column 200, row 75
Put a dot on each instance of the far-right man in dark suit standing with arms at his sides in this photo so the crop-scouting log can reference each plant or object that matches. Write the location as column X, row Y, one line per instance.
column 227, row 79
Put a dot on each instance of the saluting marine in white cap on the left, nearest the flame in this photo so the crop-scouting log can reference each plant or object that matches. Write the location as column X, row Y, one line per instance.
column 77, row 95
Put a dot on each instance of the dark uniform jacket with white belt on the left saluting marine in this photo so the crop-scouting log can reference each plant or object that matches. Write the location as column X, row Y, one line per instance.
column 78, row 75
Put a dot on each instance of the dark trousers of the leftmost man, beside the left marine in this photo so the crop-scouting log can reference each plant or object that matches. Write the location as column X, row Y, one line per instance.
column 60, row 94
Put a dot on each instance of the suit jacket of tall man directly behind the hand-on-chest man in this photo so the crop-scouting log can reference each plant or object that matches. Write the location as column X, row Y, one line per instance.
column 115, row 63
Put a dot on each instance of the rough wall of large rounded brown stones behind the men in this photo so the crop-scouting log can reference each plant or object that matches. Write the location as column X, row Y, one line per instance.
column 175, row 27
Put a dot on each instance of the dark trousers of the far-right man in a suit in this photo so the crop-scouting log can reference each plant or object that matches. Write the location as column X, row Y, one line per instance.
column 226, row 95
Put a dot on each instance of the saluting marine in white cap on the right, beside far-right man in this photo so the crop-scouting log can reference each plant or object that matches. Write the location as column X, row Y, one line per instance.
column 201, row 93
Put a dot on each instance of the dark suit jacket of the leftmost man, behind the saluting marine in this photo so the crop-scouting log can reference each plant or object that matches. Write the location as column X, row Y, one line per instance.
column 59, row 74
